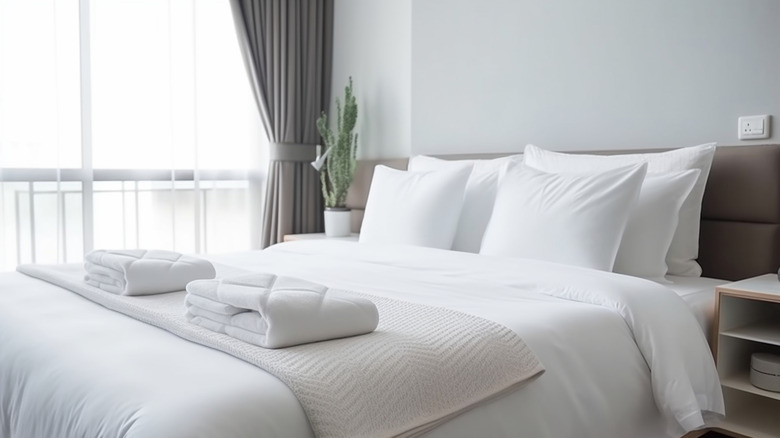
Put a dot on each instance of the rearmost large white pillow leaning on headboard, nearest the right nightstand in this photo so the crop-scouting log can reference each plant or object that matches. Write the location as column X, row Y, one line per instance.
column 684, row 249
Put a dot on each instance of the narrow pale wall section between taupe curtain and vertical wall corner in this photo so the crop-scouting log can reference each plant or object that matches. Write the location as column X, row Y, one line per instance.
column 372, row 43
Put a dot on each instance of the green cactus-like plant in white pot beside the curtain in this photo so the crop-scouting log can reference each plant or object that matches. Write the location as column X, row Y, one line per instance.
column 339, row 167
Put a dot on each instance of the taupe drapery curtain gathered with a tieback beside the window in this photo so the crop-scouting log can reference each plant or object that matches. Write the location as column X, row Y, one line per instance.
column 287, row 46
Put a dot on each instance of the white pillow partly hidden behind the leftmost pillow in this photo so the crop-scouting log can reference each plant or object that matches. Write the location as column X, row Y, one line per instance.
column 479, row 198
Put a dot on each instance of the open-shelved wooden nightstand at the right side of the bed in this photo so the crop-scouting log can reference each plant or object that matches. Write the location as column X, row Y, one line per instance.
column 747, row 320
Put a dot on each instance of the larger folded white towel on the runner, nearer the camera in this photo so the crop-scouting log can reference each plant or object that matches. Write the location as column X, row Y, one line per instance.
column 275, row 312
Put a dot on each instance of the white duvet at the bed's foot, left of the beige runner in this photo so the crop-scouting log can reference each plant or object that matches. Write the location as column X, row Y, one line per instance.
column 71, row 368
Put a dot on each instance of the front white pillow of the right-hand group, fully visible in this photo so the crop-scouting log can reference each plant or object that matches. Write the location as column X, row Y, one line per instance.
column 571, row 218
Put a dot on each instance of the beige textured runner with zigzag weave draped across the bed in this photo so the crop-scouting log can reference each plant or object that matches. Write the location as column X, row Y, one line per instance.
column 422, row 366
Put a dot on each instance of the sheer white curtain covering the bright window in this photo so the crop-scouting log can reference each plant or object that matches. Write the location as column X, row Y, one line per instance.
column 124, row 124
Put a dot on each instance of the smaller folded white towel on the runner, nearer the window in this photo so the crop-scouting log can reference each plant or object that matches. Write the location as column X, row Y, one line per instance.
column 143, row 272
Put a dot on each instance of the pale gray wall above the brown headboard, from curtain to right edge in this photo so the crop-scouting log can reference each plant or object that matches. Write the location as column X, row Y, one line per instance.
column 459, row 76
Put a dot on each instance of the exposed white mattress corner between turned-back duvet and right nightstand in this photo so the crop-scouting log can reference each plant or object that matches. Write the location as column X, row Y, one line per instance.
column 699, row 294
